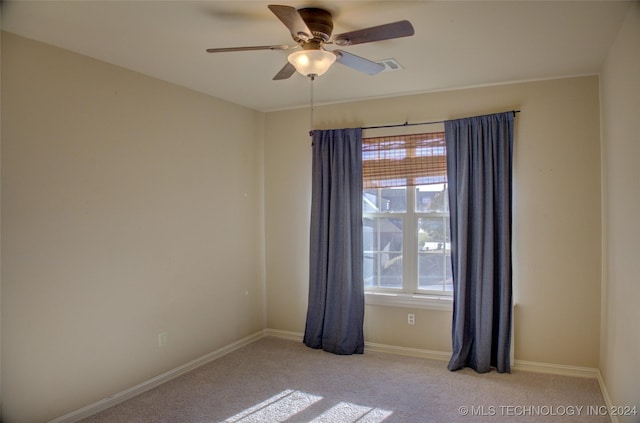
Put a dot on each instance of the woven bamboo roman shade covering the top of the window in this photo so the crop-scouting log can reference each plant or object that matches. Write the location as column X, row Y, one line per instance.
column 404, row 160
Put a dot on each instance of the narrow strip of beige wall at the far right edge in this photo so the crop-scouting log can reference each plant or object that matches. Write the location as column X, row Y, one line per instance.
column 620, row 358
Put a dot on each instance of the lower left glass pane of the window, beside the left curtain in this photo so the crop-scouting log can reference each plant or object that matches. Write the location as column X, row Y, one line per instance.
column 382, row 241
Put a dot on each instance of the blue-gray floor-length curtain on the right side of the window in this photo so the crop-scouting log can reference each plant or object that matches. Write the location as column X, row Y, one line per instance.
column 479, row 157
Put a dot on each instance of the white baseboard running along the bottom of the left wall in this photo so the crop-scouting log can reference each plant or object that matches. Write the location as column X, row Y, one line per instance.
column 122, row 396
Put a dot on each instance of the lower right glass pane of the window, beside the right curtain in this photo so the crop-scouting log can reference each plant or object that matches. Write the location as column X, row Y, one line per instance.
column 434, row 254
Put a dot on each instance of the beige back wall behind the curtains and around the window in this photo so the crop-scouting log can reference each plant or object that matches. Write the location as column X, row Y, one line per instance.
column 556, row 215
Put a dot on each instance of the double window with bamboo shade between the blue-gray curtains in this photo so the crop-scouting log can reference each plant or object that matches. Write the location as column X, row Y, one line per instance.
column 407, row 250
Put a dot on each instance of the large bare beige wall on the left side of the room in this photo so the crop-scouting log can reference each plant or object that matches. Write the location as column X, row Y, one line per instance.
column 129, row 207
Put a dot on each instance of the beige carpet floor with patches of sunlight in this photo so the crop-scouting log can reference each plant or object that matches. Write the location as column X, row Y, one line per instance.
column 275, row 380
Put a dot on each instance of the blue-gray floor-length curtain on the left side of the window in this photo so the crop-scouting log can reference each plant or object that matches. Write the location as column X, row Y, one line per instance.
column 335, row 314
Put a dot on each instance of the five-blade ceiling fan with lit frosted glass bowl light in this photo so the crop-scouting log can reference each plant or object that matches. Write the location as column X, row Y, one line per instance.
column 311, row 29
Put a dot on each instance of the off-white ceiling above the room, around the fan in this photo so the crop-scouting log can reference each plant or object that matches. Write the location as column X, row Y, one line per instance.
column 456, row 43
